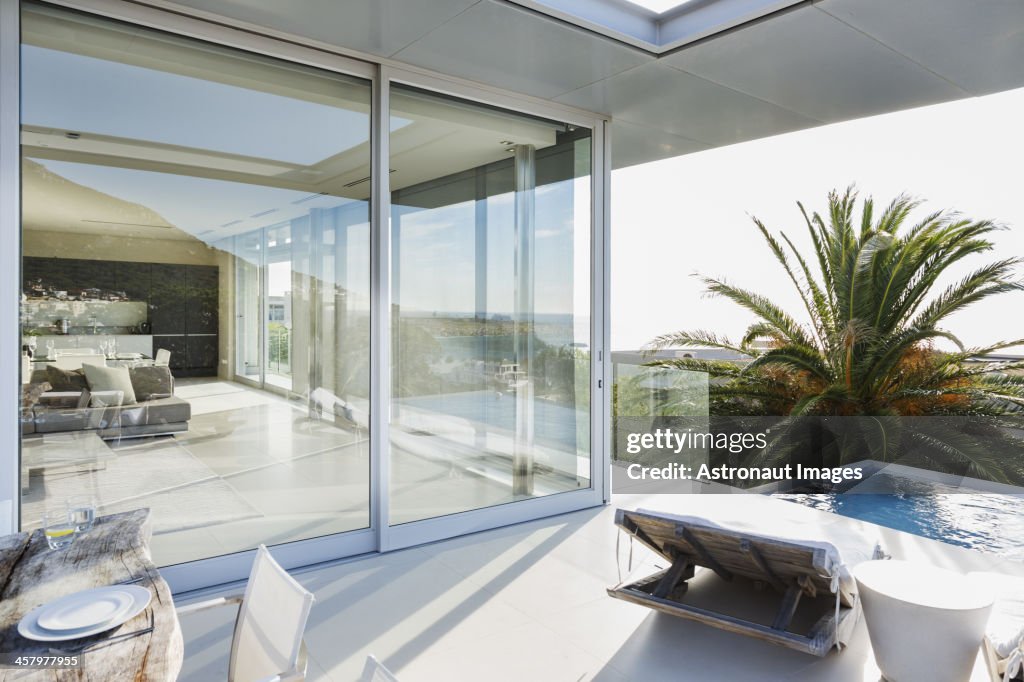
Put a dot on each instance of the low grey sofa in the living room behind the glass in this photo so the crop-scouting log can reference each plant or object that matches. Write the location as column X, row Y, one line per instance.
column 60, row 401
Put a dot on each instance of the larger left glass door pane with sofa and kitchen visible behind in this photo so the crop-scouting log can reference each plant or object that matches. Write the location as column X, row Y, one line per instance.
column 210, row 204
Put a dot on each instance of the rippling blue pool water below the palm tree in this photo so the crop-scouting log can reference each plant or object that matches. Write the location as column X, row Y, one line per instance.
column 980, row 522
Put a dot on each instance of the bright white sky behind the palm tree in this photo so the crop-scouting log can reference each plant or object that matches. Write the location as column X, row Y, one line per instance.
column 674, row 219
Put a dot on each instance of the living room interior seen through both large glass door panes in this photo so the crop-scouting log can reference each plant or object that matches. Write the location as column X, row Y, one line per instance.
column 196, row 300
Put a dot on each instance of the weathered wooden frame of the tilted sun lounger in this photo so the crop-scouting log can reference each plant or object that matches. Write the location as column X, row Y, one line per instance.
column 793, row 570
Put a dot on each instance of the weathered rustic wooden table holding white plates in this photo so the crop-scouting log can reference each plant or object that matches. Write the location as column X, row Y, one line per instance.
column 115, row 550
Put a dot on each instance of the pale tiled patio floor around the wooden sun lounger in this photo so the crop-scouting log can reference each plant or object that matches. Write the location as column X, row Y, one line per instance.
column 528, row 603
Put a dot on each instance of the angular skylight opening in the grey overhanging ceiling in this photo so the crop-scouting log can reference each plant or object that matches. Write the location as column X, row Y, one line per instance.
column 657, row 26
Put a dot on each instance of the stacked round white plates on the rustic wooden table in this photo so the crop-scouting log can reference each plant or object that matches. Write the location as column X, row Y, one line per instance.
column 84, row 614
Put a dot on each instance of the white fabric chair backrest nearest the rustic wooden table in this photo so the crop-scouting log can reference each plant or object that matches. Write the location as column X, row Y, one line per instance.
column 273, row 617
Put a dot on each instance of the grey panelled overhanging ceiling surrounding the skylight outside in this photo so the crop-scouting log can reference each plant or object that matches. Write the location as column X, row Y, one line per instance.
column 821, row 62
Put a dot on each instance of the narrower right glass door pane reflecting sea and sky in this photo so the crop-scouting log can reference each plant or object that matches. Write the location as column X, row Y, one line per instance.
column 491, row 299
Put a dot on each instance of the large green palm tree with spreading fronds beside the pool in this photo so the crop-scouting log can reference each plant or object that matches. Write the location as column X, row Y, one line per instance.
column 873, row 315
